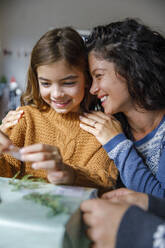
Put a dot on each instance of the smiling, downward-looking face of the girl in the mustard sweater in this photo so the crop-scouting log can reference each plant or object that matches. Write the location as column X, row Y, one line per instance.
column 61, row 86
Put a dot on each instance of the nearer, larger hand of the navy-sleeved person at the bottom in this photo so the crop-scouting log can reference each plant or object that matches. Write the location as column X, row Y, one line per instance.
column 103, row 219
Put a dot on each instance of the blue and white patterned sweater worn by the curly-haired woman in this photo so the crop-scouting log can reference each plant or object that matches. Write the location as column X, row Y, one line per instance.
column 142, row 163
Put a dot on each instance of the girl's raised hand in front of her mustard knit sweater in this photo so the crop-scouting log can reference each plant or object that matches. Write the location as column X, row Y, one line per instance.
column 49, row 158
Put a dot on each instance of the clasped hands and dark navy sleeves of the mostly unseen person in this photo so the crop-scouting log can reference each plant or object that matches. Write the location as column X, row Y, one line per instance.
column 125, row 218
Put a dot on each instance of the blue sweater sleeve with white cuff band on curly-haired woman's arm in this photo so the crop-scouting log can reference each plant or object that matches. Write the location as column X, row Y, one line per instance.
column 133, row 172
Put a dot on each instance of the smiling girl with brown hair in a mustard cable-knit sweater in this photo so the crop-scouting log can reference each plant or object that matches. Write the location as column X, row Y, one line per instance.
column 55, row 147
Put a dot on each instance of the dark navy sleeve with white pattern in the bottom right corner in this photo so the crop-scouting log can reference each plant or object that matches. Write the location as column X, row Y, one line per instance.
column 142, row 229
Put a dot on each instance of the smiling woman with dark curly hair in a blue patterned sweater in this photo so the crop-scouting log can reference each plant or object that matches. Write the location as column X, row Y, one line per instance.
column 127, row 64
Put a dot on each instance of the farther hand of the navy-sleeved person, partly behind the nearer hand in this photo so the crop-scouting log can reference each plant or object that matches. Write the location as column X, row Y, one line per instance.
column 127, row 196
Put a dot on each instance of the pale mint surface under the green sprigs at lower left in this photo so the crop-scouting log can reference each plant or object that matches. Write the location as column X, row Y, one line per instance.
column 27, row 224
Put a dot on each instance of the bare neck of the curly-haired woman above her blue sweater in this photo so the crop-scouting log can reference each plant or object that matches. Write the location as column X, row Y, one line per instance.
column 143, row 122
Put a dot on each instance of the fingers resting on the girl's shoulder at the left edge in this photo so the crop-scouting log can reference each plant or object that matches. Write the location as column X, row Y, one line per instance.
column 11, row 119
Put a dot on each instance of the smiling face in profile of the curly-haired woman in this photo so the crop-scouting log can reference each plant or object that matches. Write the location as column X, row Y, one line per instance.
column 109, row 86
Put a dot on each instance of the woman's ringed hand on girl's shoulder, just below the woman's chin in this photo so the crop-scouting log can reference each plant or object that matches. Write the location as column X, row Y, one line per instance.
column 103, row 127
